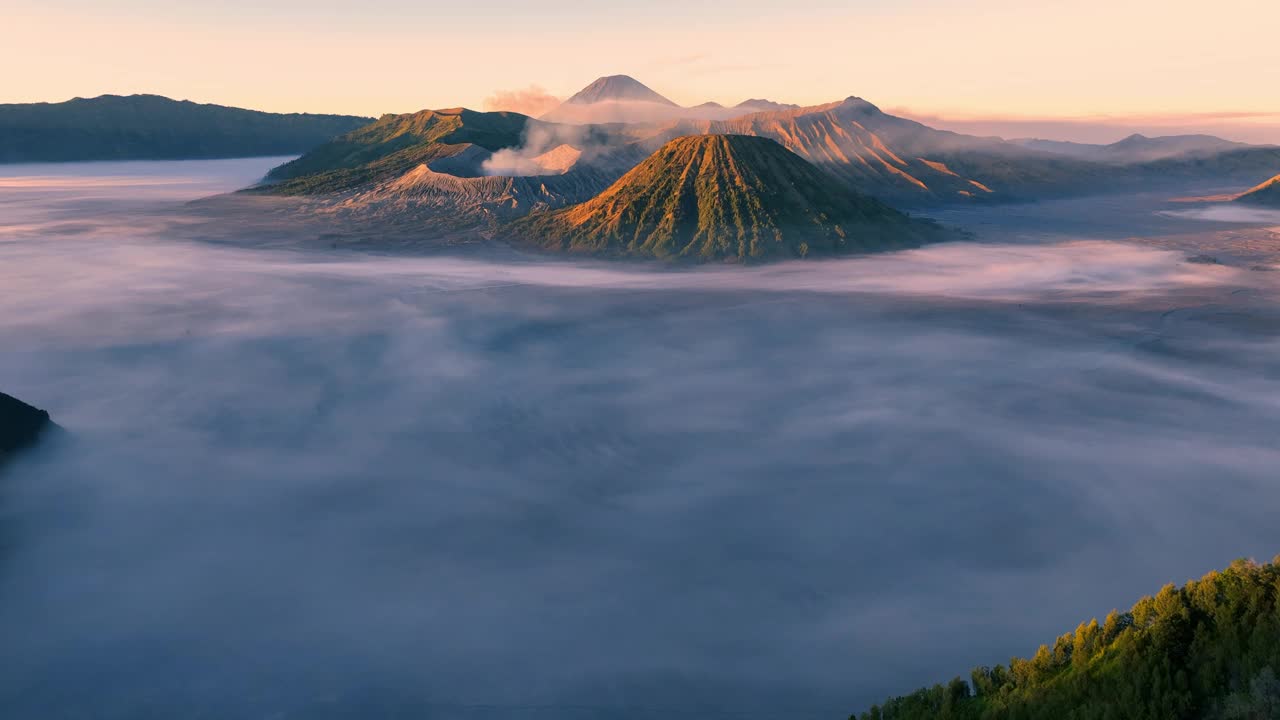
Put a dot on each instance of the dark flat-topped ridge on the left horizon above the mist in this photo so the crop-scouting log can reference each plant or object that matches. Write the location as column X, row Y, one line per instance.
column 149, row 127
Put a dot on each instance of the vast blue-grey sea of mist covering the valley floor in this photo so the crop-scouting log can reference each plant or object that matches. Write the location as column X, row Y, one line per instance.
column 331, row 485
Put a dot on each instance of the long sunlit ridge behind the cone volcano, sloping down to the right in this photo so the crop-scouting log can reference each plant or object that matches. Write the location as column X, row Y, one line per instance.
column 909, row 163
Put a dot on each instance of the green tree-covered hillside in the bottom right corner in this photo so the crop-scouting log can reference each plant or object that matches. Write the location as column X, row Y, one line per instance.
column 1209, row 650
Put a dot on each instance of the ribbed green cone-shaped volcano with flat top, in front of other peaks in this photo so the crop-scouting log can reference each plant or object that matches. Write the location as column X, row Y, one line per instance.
column 725, row 198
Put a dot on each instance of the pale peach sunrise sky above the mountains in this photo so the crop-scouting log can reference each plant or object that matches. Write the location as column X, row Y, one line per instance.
column 1127, row 63
